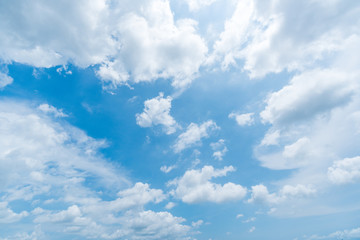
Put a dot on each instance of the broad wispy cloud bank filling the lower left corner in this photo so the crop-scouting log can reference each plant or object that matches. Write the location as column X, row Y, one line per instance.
column 67, row 187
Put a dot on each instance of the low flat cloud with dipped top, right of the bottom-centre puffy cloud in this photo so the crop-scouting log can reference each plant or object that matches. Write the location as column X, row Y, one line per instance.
column 260, row 194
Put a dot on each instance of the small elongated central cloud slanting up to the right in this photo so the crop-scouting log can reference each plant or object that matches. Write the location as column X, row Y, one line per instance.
column 193, row 135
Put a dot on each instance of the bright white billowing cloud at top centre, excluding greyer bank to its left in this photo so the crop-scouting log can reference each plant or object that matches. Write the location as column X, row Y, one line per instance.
column 154, row 46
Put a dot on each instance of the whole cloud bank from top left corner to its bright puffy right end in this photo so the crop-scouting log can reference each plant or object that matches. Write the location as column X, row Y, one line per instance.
column 124, row 40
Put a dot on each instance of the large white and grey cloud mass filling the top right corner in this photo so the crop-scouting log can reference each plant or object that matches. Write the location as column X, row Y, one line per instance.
column 276, row 36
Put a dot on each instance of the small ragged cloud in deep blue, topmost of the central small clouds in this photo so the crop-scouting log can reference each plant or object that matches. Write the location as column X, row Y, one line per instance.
column 157, row 112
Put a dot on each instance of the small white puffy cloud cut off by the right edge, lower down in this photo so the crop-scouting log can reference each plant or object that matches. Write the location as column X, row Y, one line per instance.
column 345, row 171
